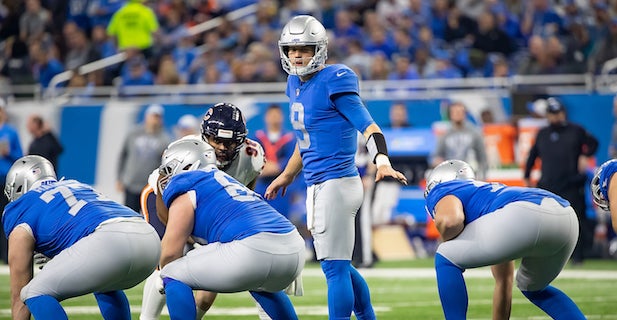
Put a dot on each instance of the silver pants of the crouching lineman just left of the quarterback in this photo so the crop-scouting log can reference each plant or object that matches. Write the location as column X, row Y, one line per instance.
column 238, row 266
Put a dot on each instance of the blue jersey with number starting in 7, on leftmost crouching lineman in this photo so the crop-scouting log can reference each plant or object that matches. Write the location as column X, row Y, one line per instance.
column 60, row 213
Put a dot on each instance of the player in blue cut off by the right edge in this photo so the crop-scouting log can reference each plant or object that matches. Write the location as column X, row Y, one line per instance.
column 604, row 188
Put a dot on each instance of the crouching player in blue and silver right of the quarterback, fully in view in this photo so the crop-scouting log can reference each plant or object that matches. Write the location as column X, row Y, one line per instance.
column 485, row 224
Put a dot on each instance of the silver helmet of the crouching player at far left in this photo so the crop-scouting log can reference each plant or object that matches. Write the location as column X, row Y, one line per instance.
column 25, row 173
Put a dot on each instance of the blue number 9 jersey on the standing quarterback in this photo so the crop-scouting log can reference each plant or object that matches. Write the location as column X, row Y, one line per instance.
column 325, row 131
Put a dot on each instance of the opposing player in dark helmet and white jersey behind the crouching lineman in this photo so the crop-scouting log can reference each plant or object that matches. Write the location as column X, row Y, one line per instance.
column 224, row 128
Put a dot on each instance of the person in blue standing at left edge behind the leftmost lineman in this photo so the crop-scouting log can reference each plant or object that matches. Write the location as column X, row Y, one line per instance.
column 10, row 150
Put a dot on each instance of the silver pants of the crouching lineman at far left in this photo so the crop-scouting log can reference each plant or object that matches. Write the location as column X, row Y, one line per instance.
column 100, row 262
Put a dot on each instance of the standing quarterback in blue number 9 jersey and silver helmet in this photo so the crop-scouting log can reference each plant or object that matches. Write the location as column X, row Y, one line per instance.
column 326, row 112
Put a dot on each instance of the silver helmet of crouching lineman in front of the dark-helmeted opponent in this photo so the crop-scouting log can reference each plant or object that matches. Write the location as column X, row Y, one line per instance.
column 184, row 155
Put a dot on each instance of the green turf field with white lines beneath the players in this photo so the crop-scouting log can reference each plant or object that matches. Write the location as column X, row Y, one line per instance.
column 400, row 290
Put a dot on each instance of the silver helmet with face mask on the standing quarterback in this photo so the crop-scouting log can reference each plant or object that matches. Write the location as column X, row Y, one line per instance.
column 304, row 30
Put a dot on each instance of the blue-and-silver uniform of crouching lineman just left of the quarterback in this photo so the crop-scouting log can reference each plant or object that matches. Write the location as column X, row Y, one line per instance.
column 250, row 246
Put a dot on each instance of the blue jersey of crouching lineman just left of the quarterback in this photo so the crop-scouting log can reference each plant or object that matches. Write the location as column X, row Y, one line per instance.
column 225, row 210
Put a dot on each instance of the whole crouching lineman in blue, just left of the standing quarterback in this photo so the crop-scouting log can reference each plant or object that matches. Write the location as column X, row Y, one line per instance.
column 247, row 245
